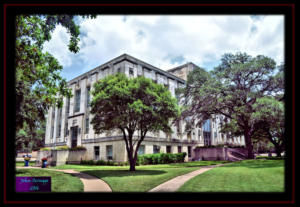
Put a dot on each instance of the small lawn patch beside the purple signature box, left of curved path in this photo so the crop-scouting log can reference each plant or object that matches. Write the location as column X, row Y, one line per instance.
column 60, row 182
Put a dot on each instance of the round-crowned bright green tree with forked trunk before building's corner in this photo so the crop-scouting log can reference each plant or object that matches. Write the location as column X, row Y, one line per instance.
column 131, row 105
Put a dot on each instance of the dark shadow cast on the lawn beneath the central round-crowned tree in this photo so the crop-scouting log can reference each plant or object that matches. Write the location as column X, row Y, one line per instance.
column 122, row 173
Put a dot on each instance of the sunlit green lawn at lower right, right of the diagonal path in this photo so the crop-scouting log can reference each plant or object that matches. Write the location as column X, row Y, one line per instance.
column 244, row 176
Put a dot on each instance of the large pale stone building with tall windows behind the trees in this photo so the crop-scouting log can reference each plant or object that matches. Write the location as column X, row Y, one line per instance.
column 70, row 125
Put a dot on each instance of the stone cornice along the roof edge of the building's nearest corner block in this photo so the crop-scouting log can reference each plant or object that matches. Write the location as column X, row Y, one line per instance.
column 130, row 59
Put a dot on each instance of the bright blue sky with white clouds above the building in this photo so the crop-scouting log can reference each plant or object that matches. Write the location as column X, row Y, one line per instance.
column 167, row 41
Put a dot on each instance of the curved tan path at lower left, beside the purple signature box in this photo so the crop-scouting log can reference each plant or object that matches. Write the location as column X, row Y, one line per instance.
column 90, row 183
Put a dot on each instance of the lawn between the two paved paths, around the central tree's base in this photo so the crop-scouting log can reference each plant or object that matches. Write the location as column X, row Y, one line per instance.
column 146, row 177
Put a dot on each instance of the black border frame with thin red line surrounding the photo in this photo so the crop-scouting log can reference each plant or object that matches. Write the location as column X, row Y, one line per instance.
column 9, row 10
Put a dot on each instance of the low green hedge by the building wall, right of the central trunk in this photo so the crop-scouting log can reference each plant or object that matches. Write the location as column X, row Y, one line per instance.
column 161, row 158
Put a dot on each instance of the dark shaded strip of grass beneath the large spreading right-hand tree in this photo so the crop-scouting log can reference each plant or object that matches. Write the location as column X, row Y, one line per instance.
column 257, row 164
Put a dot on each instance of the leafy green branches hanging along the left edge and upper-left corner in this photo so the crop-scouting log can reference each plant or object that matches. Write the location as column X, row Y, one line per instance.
column 38, row 82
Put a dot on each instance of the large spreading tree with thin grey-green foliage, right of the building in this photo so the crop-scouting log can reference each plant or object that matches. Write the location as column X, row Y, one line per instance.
column 232, row 89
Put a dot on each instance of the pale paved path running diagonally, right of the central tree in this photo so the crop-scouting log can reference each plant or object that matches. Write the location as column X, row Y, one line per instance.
column 175, row 183
